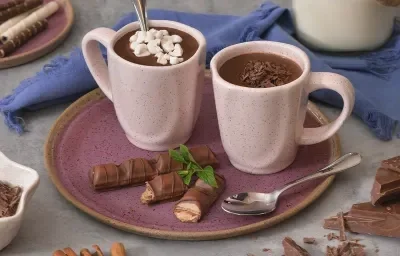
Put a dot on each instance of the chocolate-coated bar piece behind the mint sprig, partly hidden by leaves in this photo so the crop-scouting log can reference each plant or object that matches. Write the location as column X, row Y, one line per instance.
column 202, row 154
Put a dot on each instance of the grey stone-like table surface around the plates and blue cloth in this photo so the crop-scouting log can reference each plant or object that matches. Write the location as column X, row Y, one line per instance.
column 51, row 222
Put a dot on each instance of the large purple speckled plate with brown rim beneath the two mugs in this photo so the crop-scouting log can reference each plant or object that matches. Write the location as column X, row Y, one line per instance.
column 88, row 134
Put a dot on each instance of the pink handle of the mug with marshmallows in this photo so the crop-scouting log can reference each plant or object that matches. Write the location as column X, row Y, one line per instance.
column 94, row 58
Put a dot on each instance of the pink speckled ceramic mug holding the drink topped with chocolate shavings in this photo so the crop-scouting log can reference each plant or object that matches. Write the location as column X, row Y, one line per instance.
column 261, row 128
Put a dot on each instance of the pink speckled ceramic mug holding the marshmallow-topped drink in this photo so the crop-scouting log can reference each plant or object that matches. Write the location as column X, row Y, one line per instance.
column 157, row 107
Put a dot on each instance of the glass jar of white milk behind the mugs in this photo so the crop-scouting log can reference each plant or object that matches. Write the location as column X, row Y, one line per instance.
column 343, row 25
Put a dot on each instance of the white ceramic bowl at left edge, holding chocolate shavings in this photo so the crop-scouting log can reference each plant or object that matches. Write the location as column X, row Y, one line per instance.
column 28, row 180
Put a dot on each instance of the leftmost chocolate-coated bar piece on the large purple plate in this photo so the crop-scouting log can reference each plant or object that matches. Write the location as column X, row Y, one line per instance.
column 131, row 172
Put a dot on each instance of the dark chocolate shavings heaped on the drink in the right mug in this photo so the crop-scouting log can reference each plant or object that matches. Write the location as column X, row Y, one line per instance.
column 264, row 74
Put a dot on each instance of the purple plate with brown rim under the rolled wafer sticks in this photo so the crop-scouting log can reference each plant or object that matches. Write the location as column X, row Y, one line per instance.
column 59, row 25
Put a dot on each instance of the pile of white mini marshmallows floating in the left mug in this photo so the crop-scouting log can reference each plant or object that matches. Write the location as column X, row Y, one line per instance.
column 158, row 42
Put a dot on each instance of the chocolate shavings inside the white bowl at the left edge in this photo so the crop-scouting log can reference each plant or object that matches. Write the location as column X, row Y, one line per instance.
column 9, row 199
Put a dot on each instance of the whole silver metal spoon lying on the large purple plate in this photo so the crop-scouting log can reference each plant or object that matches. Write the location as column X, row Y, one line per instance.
column 253, row 203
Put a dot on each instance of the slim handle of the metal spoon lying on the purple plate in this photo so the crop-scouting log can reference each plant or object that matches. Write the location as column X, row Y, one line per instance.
column 341, row 164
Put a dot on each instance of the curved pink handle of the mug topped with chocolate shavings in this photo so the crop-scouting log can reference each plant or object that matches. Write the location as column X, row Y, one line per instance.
column 340, row 84
